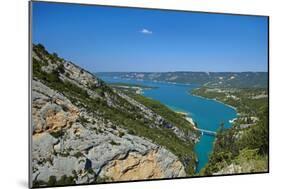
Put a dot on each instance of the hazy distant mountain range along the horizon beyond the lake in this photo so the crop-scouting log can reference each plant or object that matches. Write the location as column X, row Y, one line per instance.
column 210, row 79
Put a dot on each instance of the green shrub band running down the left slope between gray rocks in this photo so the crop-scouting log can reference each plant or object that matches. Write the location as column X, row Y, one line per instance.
column 123, row 114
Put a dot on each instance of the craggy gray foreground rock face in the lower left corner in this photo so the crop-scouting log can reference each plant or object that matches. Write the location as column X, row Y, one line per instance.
column 97, row 143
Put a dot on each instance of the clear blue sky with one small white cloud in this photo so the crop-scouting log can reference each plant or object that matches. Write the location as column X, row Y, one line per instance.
column 127, row 39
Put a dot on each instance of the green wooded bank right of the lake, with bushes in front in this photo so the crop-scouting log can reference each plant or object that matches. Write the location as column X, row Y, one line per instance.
column 246, row 143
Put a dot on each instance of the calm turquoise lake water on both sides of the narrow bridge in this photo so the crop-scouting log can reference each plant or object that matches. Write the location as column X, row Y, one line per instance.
column 207, row 113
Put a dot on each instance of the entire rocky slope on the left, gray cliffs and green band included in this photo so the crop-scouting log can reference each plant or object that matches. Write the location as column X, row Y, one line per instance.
column 86, row 132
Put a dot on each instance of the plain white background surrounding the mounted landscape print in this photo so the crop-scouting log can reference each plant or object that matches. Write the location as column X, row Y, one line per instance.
column 14, row 91
